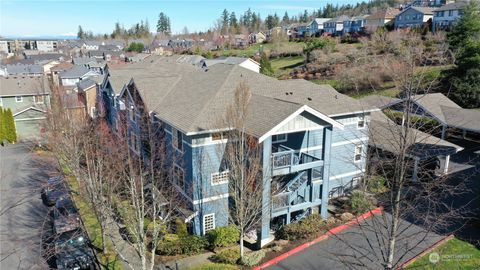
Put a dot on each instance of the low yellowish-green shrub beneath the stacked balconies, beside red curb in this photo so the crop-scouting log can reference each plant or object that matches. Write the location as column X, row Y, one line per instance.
column 306, row 228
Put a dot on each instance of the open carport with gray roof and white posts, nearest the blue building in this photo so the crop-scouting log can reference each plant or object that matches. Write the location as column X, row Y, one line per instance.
column 384, row 135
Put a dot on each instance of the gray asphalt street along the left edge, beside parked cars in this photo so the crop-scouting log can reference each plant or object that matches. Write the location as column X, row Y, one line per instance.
column 23, row 217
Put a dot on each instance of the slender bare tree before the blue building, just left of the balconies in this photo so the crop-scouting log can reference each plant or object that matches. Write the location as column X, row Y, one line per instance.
column 242, row 158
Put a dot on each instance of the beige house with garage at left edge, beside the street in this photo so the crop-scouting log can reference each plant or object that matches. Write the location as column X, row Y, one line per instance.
column 29, row 100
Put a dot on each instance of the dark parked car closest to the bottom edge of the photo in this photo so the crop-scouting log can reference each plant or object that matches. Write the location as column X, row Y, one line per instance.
column 72, row 251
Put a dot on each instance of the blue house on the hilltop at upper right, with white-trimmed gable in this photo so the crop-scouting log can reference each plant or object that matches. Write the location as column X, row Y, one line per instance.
column 413, row 17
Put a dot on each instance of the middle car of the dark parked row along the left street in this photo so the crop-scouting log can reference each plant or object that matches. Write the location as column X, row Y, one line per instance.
column 65, row 216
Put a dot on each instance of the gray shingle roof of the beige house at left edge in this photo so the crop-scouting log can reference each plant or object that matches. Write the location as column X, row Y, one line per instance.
column 17, row 86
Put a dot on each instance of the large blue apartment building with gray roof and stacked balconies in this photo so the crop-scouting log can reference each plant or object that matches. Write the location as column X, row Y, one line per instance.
column 313, row 138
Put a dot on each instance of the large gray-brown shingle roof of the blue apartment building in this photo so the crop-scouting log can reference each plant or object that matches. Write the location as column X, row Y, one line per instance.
column 192, row 99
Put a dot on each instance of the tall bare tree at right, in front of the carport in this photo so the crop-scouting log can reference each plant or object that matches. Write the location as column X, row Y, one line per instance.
column 416, row 208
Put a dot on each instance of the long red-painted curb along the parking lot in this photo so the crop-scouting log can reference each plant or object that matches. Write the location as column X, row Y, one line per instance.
column 320, row 238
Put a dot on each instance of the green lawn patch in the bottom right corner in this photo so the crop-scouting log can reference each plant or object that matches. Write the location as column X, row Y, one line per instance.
column 454, row 254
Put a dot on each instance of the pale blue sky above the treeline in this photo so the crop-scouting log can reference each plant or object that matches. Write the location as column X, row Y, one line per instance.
column 61, row 17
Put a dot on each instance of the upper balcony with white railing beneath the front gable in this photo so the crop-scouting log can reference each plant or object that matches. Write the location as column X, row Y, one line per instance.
column 286, row 161
